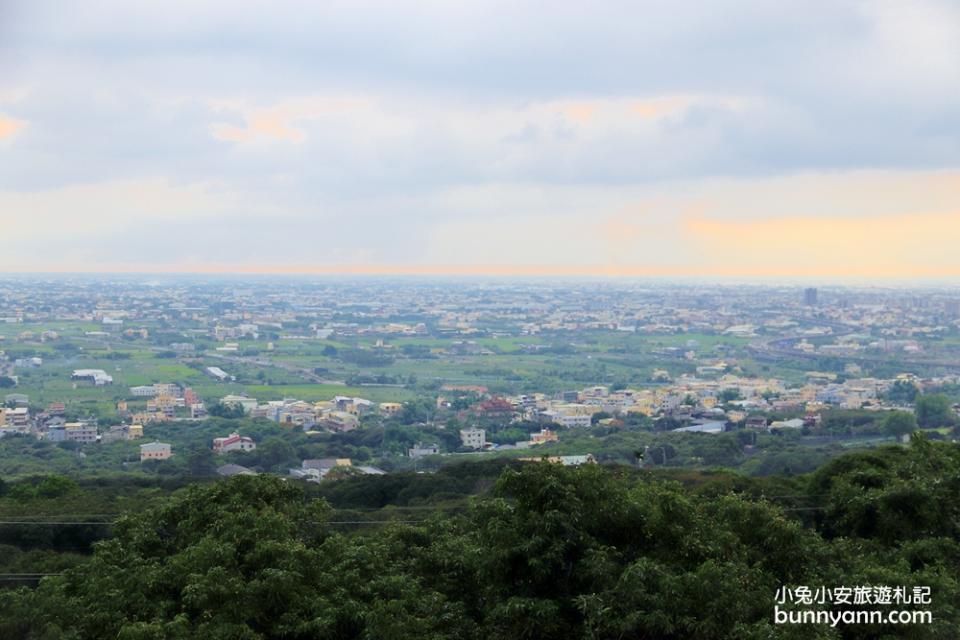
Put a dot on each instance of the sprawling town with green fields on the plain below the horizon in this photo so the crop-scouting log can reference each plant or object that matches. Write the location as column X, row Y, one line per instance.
column 439, row 370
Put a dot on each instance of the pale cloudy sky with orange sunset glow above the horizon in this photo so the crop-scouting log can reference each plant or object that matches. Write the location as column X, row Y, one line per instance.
column 721, row 138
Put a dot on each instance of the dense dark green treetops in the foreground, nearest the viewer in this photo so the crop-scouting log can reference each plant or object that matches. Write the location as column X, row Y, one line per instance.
column 548, row 552
